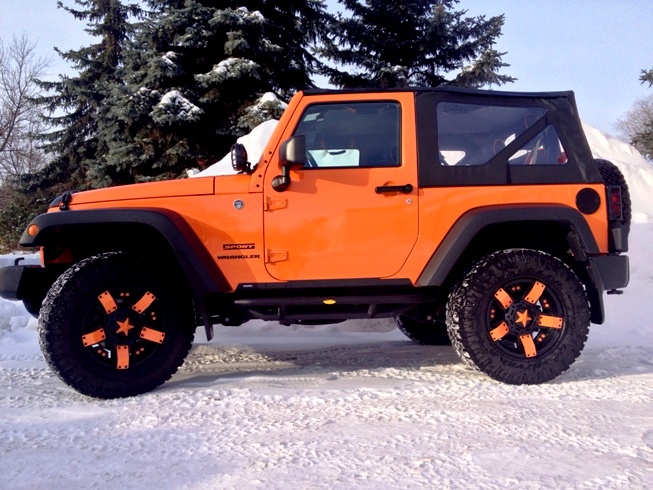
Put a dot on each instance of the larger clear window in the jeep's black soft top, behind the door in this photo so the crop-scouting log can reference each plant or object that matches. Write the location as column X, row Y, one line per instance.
column 472, row 134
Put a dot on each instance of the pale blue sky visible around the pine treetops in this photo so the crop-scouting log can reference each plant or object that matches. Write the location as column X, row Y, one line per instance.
column 595, row 47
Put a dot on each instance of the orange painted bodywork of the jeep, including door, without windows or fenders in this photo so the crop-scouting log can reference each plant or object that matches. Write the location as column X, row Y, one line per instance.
column 330, row 223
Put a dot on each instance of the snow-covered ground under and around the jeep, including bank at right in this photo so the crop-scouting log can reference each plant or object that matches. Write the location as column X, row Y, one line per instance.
column 353, row 405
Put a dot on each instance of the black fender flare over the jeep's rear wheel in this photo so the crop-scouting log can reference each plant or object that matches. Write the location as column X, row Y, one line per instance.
column 556, row 230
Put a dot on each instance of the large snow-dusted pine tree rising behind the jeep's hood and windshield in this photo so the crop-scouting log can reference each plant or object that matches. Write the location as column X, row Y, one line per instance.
column 193, row 69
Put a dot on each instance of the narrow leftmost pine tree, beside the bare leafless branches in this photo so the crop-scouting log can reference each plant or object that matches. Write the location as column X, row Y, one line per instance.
column 74, row 104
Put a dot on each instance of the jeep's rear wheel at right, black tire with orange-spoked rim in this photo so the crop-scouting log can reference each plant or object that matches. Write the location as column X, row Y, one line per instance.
column 499, row 304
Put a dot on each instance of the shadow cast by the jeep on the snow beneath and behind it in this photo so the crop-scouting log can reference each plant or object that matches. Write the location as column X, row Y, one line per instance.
column 209, row 365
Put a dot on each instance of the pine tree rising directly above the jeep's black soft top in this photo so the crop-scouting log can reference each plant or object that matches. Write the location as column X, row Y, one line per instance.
column 385, row 43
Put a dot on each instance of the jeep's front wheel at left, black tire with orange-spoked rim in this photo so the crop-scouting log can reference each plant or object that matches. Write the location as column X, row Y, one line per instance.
column 113, row 326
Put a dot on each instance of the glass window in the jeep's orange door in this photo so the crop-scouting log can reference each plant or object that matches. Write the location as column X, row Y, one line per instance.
column 359, row 134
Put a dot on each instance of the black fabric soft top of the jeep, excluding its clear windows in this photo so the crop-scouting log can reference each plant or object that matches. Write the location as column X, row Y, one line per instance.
column 561, row 112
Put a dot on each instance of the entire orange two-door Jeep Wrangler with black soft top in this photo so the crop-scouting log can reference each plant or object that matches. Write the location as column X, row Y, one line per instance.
column 473, row 217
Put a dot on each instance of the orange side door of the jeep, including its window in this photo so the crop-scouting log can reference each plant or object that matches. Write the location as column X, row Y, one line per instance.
column 352, row 210
